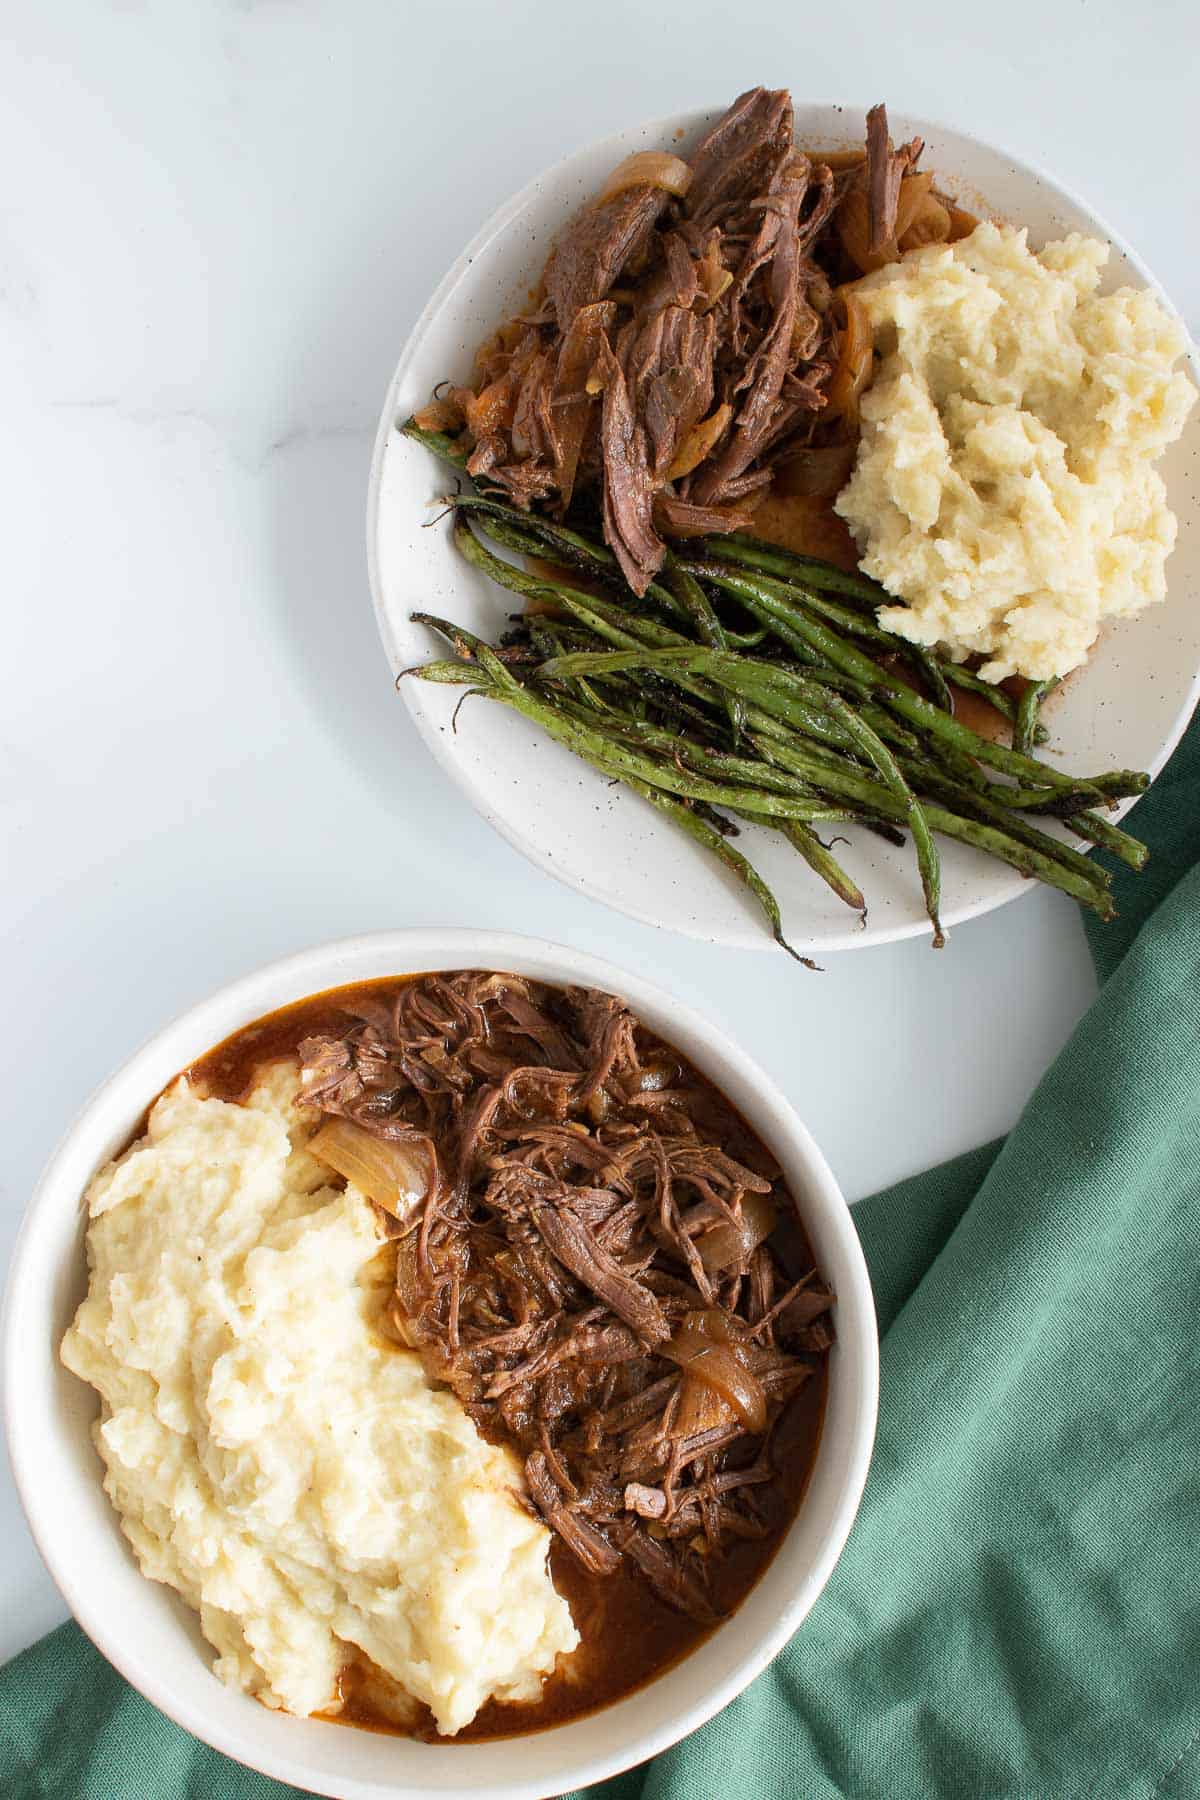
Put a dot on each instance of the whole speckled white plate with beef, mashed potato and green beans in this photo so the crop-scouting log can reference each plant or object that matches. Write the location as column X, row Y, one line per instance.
column 771, row 525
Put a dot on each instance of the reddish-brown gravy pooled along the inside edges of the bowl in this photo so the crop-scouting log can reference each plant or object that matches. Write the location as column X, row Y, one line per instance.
column 629, row 1635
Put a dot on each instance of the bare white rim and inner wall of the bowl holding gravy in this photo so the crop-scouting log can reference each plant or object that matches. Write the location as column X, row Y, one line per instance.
column 154, row 1639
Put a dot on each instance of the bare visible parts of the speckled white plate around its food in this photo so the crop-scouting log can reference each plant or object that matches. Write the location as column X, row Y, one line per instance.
column 1125, row 710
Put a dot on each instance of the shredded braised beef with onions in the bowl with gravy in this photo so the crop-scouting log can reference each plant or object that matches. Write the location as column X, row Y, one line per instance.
column 559, row 1275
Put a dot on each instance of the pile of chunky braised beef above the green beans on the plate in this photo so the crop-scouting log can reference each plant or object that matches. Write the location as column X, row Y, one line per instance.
column 685, row 346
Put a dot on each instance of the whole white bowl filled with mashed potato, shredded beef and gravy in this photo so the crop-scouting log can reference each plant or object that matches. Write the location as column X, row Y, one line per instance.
column 469, row 1344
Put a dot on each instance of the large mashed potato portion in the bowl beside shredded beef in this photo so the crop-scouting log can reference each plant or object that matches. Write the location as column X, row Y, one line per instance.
column 276, row 1461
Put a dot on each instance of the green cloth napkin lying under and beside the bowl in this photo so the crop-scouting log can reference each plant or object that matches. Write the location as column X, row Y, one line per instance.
column 1017, row 1612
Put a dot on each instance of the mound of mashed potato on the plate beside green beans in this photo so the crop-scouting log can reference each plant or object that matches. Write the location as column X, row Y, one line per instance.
column 1005, row 483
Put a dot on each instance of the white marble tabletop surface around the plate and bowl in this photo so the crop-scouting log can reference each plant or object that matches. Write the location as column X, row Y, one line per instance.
column 219, row 224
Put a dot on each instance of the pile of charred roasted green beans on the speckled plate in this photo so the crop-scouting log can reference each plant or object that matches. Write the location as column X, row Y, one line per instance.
column 701, row 730
